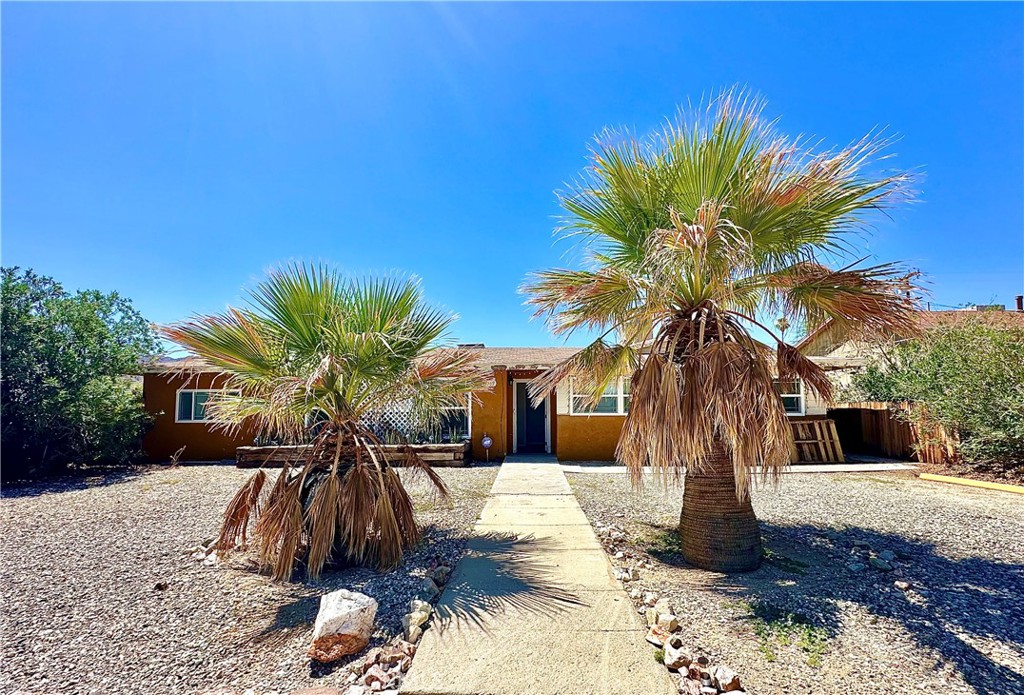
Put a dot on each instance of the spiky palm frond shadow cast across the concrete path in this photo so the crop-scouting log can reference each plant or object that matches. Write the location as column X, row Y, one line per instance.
column 499, row 573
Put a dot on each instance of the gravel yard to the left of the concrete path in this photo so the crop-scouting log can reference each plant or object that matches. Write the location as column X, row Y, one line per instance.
column 86, row 563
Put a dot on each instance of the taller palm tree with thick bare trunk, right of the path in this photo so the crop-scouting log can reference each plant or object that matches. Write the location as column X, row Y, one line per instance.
column 694, row 235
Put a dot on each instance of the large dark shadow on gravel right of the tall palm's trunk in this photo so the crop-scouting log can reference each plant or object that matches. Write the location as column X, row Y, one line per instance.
column 806, row 573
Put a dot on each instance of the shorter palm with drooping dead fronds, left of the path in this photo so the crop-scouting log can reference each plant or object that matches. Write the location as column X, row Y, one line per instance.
column 310, row 359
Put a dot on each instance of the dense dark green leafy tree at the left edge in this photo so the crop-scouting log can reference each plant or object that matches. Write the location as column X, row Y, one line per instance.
column 67, row 398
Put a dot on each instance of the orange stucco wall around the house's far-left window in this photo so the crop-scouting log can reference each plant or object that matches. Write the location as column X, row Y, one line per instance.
column 167, row 437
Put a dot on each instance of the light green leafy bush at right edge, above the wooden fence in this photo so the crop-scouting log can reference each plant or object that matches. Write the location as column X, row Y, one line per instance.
column 968, row 377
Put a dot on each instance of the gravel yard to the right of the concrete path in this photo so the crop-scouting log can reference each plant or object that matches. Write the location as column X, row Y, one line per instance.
column 819, row 618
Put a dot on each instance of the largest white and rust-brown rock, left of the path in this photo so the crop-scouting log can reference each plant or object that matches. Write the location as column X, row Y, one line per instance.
column 344, row 626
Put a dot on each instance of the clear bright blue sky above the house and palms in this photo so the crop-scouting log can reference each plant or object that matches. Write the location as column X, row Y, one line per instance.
column 175, row 153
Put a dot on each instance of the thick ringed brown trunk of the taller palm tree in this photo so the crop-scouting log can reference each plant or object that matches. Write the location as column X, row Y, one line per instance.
column 719, row 533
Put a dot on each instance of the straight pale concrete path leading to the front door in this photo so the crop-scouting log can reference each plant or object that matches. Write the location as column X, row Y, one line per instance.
column 533, row 606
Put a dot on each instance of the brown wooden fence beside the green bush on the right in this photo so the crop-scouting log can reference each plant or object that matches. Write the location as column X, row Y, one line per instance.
column 886, row 428
